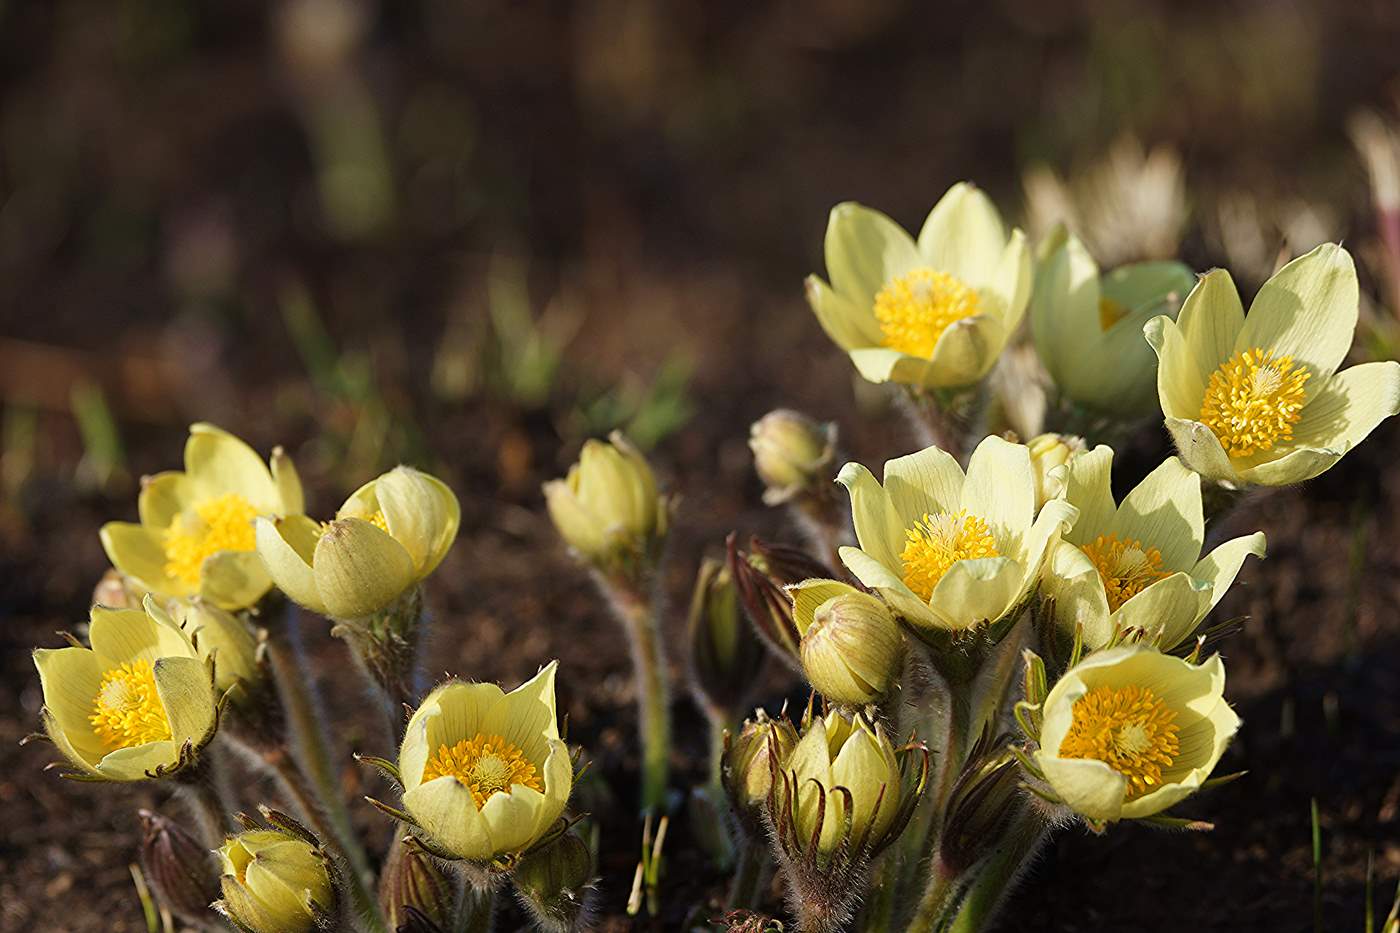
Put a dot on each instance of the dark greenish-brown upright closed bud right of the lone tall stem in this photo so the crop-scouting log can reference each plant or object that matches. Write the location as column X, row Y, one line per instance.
column 726, row 656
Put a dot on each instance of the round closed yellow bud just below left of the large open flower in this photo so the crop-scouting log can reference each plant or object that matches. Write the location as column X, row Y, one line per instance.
column 852, row 647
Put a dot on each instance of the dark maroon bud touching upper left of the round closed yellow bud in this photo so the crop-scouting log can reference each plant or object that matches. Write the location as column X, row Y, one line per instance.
column 759, row 575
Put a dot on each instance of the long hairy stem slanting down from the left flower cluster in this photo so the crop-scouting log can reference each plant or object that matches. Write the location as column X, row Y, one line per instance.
column 313, row 747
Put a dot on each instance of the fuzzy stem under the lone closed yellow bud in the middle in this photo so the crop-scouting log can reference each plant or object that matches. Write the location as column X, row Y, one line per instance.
column 639, row 617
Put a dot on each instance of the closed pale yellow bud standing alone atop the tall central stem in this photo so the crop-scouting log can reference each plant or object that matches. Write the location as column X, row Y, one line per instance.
column 607, row 508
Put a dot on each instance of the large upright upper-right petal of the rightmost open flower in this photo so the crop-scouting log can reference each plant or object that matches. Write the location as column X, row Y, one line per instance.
column 1307, row 310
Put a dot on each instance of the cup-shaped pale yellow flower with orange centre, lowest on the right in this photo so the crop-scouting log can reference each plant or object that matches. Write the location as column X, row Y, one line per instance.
column 1130, row 732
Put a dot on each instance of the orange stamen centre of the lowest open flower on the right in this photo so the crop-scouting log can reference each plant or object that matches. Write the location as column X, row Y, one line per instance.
column 1129, row 729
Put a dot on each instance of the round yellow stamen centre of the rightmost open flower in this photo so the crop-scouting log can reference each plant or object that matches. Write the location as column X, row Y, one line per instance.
column 1254, row 401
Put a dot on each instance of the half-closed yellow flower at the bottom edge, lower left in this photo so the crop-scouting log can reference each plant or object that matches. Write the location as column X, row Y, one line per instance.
column 275, row 883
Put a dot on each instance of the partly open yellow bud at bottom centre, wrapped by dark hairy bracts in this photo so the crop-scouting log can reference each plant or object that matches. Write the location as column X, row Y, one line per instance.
column 835, row 753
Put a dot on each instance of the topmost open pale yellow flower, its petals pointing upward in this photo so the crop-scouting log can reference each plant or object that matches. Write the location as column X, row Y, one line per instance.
column 933, row 313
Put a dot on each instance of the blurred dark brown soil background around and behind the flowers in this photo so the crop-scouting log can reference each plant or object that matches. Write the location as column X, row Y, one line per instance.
column 468, row 235
